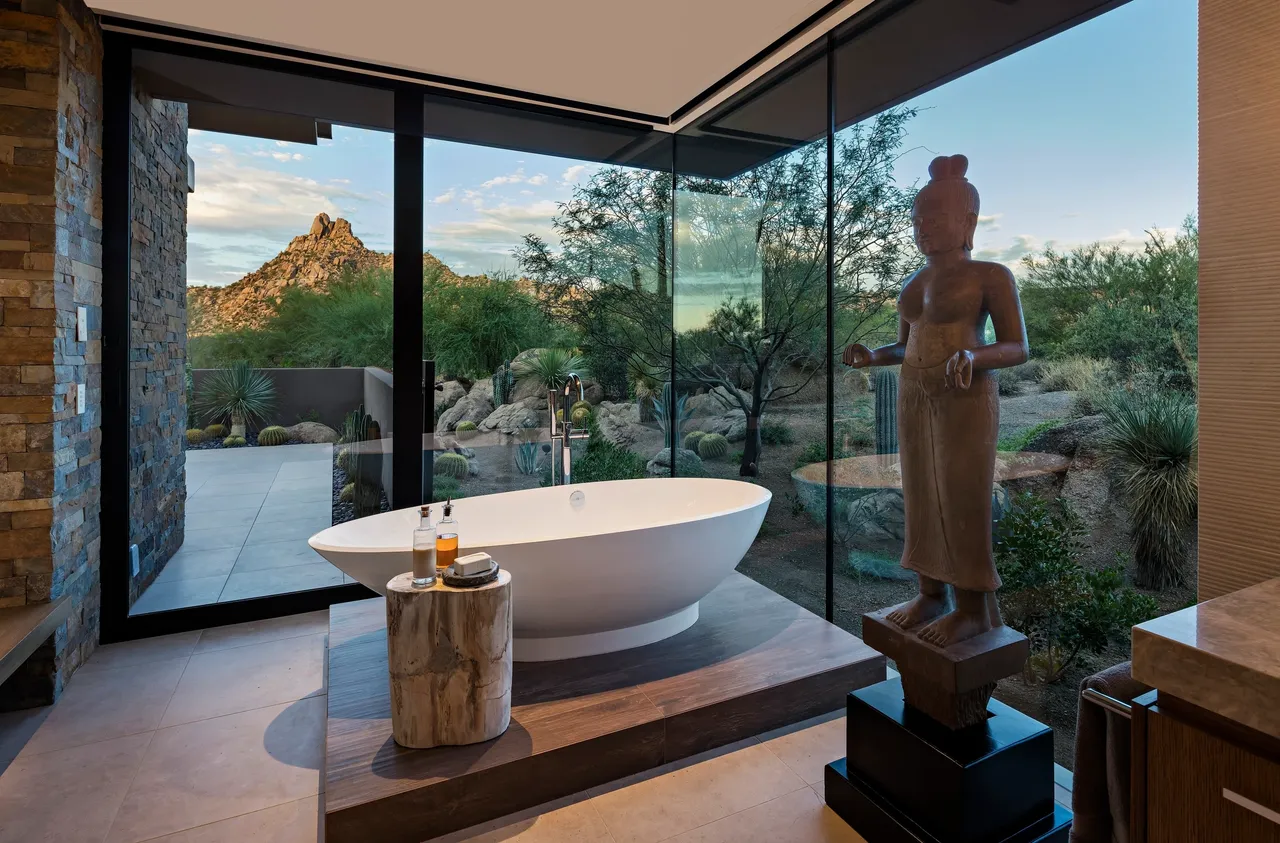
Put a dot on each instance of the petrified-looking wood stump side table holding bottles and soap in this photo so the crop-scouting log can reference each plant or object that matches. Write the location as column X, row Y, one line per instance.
column 450, row 658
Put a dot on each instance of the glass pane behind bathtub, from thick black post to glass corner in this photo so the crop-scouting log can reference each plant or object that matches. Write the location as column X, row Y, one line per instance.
column 538, row 268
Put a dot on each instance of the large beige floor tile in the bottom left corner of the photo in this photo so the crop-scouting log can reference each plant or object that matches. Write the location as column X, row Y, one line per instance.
column 68, row 796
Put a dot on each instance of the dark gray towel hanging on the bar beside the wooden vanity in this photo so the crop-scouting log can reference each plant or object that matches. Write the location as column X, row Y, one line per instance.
column 1100, row 791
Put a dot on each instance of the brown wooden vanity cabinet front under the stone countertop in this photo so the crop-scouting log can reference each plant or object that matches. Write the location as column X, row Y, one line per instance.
column 1199, row 778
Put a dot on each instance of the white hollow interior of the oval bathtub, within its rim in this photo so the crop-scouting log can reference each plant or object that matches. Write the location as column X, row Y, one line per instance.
column 560, row 512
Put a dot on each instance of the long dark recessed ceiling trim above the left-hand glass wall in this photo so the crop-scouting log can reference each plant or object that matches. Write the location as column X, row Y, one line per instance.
column 200, row 39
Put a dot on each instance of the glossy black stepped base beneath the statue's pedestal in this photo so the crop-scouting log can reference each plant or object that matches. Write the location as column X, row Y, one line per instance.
column 909, row 778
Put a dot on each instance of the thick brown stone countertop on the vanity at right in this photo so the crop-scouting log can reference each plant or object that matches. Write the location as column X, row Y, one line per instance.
column 1223, row 656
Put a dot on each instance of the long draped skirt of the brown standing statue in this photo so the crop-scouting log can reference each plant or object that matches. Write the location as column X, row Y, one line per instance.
column 948, row 450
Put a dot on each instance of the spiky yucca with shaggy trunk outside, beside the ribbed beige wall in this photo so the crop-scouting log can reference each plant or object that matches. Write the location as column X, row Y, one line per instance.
column 1151, row 441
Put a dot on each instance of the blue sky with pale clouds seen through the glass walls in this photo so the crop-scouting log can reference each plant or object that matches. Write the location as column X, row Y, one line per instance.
column 1089, row 136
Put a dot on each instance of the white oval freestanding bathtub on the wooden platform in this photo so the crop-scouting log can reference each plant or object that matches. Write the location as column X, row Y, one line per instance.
column 596, row 567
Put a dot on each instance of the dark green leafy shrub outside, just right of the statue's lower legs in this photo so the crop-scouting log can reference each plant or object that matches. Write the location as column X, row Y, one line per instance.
column 1062, row 608
